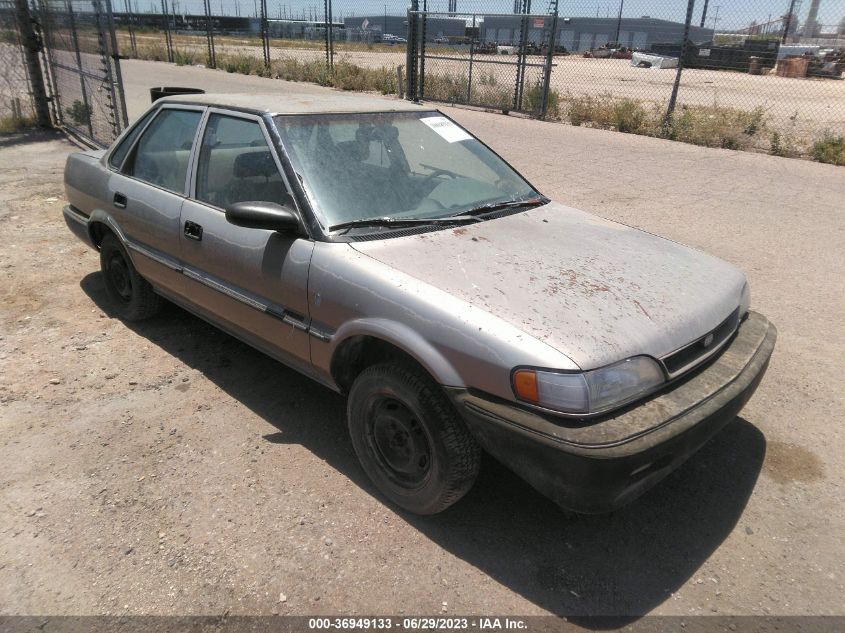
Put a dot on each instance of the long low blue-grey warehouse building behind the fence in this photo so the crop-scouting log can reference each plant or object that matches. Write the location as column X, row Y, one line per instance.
column 583, row 34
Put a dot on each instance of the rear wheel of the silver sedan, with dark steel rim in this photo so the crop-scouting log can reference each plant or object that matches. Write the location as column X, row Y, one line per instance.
column 132, row 297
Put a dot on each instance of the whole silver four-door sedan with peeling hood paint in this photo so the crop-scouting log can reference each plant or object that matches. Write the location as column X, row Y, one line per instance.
column 379, row 248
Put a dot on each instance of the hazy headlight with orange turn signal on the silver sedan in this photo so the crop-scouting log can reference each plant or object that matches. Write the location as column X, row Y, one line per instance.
column 589, row 392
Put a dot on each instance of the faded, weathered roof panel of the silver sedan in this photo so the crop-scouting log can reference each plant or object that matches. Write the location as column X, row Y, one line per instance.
column 279, row 103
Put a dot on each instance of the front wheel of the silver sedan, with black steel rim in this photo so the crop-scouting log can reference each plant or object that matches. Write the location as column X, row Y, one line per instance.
column 409, row 438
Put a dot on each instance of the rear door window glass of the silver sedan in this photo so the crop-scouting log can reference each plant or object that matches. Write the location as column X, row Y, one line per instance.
column 164, row 150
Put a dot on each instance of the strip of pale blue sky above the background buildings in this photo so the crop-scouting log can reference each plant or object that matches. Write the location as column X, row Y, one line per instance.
column 731, row 14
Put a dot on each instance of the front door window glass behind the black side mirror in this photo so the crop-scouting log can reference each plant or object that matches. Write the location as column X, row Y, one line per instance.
column 236, row 165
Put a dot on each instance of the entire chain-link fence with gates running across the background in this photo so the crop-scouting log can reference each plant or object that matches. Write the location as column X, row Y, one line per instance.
column 756, row 74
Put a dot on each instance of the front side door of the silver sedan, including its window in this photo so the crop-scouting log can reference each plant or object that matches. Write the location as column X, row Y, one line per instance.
column 251, row 281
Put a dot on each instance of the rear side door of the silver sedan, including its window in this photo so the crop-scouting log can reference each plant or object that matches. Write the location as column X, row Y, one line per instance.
column 147, row 189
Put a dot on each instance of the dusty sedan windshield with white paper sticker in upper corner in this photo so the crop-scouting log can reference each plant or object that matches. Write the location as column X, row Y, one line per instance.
column 398, row 165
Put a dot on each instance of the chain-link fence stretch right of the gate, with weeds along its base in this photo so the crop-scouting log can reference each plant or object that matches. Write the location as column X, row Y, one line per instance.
column 755, row 74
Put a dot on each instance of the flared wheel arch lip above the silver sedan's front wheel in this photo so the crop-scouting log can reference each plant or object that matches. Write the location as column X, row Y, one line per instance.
column 405, row 338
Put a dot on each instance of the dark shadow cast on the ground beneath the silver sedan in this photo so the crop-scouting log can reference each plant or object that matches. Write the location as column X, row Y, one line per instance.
column 621, row 565
